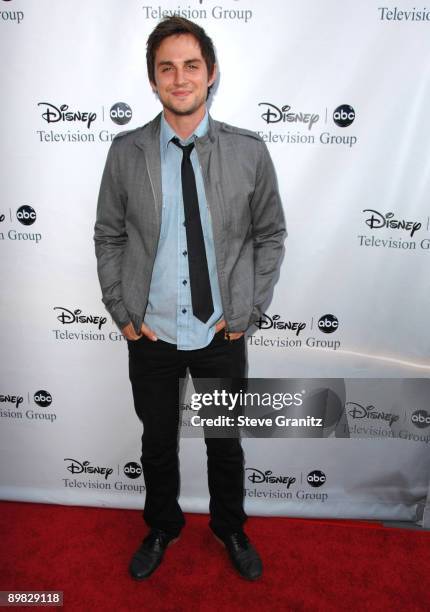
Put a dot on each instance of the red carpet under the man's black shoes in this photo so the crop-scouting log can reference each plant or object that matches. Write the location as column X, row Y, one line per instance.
column 309, row 565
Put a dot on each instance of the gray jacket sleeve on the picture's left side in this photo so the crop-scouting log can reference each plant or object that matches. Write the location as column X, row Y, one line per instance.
column 110, row 237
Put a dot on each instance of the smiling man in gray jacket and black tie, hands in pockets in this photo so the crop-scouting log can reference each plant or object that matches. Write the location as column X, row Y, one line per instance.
column 188, row 236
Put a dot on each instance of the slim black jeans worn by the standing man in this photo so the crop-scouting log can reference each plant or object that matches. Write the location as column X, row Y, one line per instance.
column 155, row 369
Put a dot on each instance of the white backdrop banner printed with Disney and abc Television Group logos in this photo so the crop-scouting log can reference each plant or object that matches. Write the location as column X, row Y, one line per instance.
column 339, row 91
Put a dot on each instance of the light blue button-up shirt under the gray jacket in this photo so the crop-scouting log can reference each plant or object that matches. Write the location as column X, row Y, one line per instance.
column 169, row 312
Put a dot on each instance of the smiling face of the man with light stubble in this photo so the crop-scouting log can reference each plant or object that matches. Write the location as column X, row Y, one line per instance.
column 181, row 75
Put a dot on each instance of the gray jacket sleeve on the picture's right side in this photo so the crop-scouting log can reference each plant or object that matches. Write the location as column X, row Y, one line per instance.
column 269, row 231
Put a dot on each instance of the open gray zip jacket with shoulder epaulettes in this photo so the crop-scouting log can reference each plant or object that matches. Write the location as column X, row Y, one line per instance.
column 245, row 207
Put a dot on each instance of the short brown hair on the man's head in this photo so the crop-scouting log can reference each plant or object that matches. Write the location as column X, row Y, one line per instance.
column 178, row 25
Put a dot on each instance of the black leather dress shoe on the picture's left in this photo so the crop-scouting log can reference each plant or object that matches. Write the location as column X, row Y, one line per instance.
column 150, row 553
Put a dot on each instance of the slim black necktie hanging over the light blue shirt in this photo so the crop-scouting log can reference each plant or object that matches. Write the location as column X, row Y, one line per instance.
column 201, row 295
